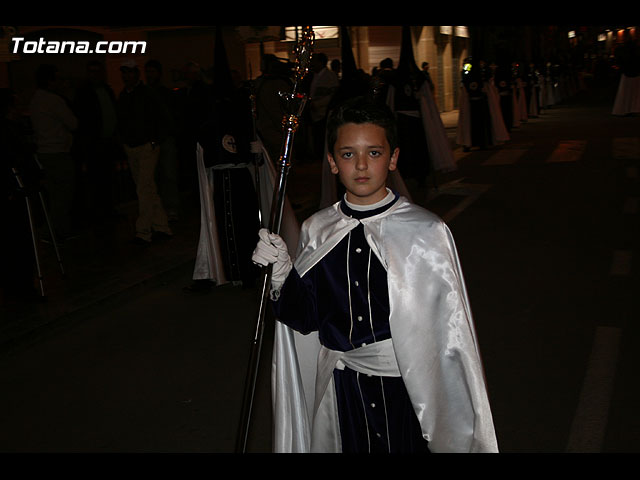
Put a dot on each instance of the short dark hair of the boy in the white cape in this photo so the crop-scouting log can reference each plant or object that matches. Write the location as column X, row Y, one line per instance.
column 361, row 110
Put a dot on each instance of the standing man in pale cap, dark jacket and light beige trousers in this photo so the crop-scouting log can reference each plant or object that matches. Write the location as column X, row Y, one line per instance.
column 139, row 119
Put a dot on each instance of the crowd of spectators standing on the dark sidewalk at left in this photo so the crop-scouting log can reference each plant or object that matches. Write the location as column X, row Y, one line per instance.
column 88, row 153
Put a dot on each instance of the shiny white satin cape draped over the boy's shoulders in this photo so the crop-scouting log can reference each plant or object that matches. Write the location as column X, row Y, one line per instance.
column 431, row 327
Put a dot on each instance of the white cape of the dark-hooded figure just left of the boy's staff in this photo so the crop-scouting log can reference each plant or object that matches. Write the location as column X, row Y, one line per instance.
column 209, row 264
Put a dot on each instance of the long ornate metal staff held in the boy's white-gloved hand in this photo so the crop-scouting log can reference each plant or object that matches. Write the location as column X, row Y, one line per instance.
column 294, row 104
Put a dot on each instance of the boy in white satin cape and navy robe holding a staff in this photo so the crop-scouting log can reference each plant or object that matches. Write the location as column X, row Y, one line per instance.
column 375, row 348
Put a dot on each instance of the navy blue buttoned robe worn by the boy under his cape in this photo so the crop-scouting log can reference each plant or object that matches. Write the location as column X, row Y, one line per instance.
column 375, row 413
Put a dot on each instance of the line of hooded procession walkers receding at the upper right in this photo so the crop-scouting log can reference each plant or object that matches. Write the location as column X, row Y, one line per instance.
column 495, row 98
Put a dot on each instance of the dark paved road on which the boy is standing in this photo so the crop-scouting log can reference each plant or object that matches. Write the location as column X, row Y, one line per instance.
column 547, row 230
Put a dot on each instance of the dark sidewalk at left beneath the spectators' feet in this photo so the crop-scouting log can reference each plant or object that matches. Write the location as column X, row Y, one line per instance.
column 103, row 262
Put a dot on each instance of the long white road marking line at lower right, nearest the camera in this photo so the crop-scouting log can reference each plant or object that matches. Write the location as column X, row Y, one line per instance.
column 590, row 421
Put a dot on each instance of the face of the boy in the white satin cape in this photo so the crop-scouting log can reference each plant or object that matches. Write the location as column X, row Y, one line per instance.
column 363, row 158
